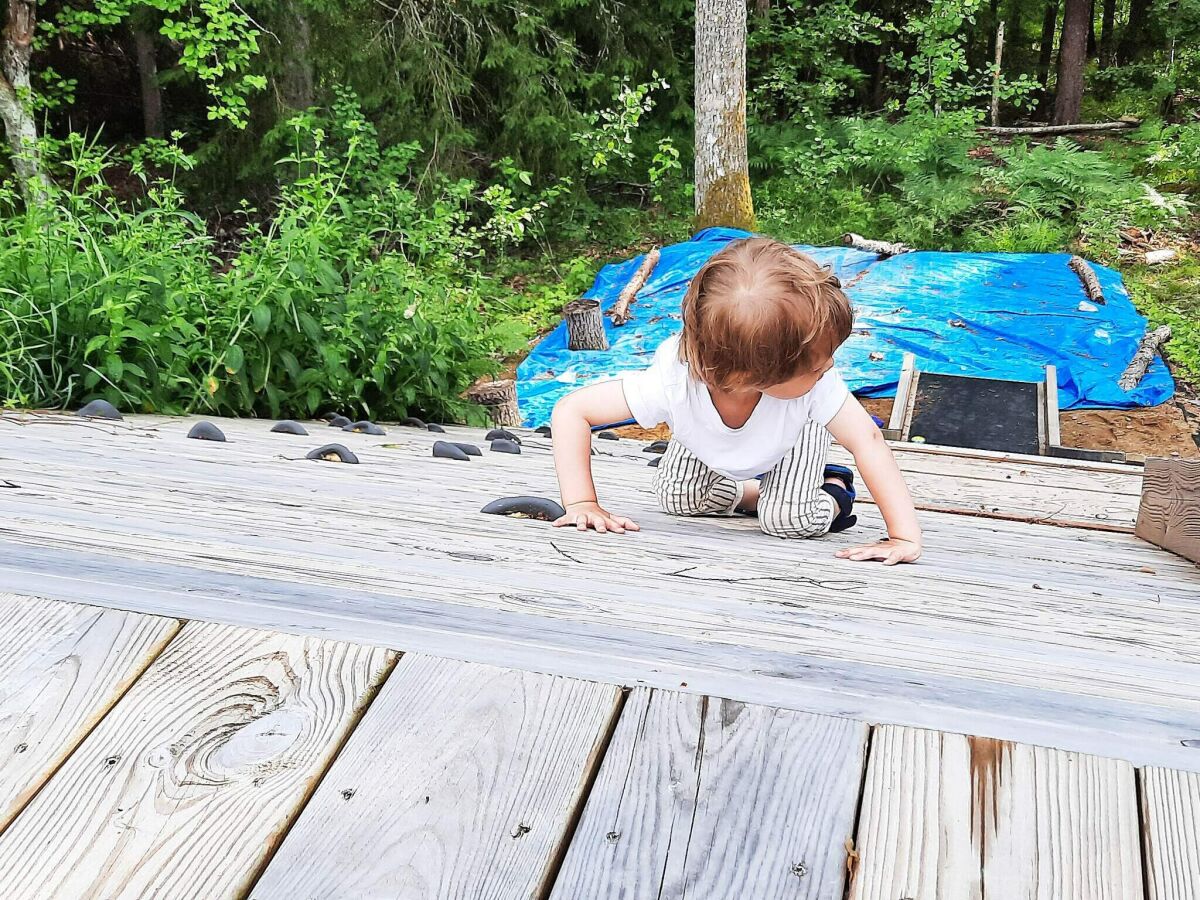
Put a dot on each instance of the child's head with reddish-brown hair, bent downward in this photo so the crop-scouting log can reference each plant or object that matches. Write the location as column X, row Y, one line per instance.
column 763, row 316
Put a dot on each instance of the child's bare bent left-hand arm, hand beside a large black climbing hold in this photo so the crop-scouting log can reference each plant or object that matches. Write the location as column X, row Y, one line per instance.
column 572, row 424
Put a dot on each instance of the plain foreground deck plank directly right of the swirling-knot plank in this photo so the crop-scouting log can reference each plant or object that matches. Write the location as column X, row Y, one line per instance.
column 461, row 781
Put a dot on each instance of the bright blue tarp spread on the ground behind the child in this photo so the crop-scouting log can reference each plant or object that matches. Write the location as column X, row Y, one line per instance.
column 988, row 315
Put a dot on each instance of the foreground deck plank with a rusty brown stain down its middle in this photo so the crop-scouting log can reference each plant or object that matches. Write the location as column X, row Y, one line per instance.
column 950, row 818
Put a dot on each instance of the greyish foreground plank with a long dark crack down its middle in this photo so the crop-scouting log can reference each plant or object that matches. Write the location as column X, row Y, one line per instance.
column 712, row 800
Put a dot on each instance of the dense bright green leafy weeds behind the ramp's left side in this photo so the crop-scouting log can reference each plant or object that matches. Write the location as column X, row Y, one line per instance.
column 357, row 293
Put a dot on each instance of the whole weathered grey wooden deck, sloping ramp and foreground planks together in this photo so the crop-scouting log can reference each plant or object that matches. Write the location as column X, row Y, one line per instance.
column 227, row 671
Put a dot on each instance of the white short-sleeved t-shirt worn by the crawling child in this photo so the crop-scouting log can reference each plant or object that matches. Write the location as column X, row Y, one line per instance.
column 667, row 393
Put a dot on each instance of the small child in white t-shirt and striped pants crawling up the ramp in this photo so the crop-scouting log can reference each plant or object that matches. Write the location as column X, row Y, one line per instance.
column 752, row 395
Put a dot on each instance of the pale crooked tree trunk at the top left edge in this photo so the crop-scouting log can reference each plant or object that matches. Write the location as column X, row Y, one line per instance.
column 20, row 127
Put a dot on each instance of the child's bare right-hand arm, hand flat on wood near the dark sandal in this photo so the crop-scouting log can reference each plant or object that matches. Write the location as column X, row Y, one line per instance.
column 856, row 431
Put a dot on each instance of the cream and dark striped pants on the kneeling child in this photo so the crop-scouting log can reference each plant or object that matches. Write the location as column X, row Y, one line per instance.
column 791, row 503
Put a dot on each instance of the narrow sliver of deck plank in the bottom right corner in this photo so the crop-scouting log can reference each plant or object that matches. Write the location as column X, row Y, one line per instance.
column 1172, row 833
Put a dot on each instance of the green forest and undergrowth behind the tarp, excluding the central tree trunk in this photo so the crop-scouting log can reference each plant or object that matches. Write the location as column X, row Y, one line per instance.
column 277, row 208
